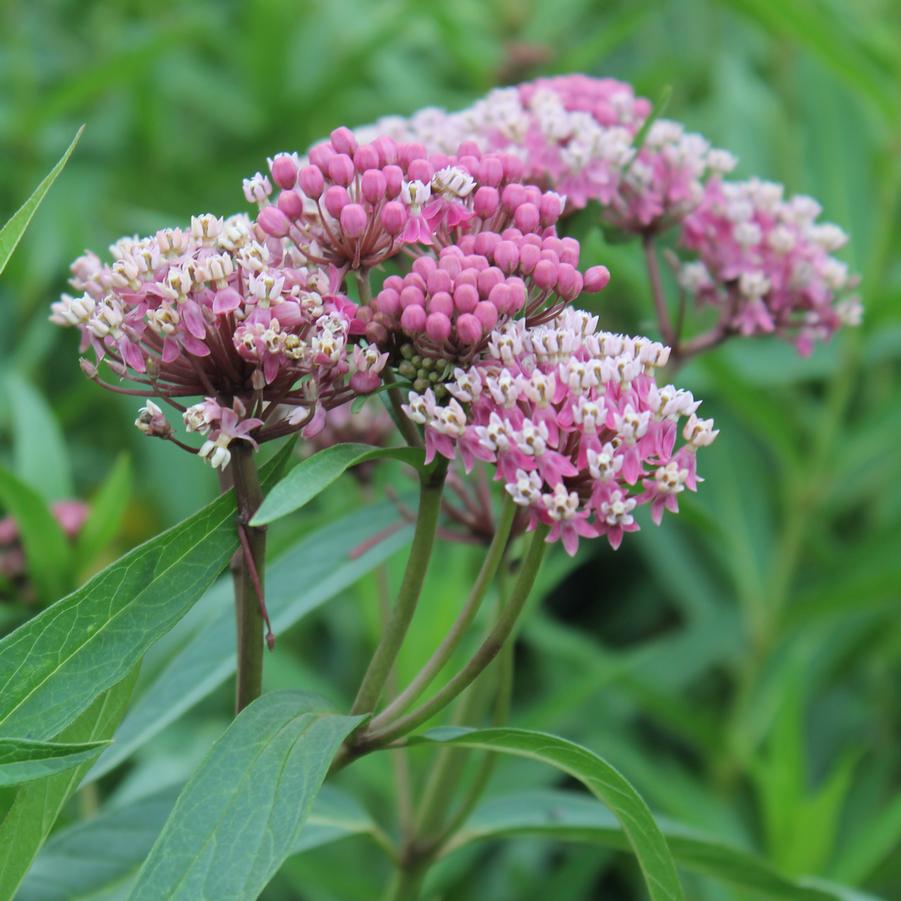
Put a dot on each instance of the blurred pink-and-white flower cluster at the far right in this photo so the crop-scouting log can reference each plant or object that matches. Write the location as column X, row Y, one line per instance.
column 767, row 263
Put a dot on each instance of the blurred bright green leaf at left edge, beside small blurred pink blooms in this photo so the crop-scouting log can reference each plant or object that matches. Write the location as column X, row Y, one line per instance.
column 47, row 551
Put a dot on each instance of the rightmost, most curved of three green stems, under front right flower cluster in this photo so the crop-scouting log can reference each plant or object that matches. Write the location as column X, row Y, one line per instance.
column 382, row 731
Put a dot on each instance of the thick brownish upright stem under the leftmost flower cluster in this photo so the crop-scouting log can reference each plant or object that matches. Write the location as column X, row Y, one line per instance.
column 247, row 575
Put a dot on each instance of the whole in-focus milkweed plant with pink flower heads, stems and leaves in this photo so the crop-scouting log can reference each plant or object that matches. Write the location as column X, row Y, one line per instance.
column 407, row 291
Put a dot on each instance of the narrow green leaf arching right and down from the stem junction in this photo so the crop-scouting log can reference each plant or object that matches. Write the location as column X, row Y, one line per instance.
column 644, row 836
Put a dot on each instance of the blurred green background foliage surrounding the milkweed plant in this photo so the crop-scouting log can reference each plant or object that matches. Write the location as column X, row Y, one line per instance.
column 740, row 665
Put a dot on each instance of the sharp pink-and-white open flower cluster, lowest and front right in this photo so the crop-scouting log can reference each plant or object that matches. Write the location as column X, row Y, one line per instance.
column 575, row 424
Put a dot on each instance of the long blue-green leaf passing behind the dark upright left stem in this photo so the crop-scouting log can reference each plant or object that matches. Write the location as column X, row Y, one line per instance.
column 208, row 659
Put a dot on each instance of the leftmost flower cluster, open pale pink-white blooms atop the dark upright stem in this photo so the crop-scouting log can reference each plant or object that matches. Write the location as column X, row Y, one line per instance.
column 217, row 311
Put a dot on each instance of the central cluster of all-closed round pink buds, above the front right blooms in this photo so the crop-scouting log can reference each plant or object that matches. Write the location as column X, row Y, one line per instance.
column 448, row 307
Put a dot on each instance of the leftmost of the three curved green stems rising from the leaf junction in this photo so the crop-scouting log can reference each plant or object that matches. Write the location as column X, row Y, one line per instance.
column 430, row 489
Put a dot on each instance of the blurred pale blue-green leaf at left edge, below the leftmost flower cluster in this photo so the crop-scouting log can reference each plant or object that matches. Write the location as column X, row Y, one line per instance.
column 38, row 447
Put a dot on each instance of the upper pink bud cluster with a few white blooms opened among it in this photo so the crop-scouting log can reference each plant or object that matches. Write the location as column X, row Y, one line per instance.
column 353, row 205
